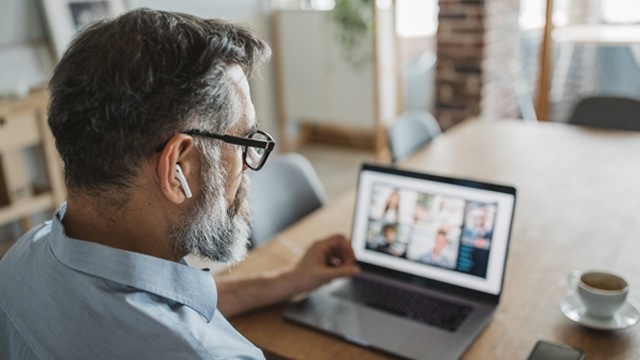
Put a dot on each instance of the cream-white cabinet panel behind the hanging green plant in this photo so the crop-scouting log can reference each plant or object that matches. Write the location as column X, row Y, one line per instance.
column 318, row 85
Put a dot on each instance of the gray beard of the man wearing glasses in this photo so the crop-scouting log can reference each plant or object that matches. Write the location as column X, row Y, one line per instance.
column 213, row 229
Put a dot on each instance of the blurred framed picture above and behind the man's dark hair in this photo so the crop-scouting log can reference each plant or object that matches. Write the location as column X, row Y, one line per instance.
column 66, row 17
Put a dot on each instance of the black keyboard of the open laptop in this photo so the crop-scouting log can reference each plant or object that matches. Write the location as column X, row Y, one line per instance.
column 420, row 307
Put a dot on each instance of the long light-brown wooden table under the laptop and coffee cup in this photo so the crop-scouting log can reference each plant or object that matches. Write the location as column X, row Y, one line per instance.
column 578, row 207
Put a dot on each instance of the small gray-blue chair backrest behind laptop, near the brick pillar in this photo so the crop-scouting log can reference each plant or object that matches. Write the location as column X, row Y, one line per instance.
column 410, row 131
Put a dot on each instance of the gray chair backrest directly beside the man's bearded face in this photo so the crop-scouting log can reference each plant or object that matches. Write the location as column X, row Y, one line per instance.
column 285, row 190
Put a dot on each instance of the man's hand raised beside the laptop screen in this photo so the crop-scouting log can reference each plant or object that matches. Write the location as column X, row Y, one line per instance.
column 325, row 260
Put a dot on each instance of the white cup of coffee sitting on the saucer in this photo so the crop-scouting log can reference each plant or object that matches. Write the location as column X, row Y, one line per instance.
column 601, row 292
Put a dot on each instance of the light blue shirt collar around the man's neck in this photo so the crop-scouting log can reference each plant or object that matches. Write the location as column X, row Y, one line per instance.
column 177, row 282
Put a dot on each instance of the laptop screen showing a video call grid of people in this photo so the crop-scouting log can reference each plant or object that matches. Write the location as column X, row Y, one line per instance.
column 450, row 230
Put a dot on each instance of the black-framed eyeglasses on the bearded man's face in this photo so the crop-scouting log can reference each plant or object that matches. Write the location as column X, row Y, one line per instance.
column 256, row 147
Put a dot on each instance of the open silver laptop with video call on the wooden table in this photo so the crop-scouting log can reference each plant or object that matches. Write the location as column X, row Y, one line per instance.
column 433, row 252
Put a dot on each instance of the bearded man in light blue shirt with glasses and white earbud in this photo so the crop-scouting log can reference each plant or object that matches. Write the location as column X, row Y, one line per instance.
column 153, row 119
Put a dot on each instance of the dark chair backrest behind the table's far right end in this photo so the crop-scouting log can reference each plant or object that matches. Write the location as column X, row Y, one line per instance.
column 607, row 112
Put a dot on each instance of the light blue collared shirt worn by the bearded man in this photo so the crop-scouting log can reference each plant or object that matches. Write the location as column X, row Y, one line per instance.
column 62, row 298
